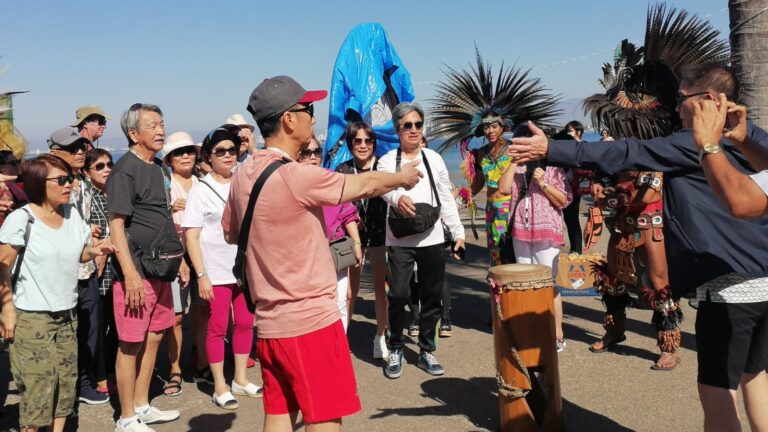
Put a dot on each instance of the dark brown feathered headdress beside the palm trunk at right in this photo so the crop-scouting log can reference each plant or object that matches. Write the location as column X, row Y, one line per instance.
column 641, row 86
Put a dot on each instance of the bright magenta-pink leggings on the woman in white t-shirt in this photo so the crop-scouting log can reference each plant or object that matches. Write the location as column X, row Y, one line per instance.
column 218, row 321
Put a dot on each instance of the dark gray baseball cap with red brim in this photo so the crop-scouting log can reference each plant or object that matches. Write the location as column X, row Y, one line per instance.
column 277, row 94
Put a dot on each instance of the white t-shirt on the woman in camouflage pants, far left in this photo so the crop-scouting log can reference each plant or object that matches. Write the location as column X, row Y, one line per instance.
column 48, row 277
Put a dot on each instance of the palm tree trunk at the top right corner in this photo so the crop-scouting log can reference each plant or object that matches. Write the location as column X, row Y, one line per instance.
column 749, row 55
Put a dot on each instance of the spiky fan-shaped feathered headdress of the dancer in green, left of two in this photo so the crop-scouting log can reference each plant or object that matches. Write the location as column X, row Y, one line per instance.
column 467, row 96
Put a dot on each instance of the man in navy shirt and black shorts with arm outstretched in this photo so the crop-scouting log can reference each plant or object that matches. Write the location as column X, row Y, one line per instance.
column 723, row 258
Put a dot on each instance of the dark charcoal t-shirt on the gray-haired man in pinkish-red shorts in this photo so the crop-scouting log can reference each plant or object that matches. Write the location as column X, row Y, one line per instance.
column 140, row 191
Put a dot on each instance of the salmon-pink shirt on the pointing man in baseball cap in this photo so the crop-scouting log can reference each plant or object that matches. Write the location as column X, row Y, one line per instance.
column 289, row 265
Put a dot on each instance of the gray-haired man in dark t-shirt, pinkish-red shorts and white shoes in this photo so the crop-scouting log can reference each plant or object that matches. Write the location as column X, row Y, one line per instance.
column 150, row 253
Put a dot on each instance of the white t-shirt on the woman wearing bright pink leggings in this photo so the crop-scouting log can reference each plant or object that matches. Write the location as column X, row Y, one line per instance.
column 203, row 210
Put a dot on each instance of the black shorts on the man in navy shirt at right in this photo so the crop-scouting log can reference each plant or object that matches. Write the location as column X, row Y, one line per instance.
column 731, row 340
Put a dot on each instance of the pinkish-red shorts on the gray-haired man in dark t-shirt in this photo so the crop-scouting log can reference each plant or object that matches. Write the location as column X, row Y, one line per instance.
column 156, row 315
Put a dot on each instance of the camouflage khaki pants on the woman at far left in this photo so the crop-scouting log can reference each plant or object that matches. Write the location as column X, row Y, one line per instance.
column 44, row 365
